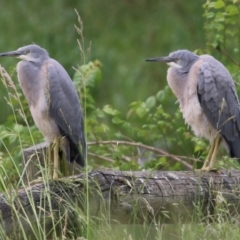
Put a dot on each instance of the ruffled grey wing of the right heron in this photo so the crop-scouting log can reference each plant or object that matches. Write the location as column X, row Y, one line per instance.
column 219, row 101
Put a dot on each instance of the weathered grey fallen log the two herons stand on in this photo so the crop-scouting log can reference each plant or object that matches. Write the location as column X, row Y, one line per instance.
column 126, row 197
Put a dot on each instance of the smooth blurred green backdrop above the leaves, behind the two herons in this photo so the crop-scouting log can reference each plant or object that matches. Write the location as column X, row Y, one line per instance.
column 122, row 35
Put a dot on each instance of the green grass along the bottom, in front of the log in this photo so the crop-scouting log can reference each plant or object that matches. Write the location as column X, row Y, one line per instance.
column 73, row 222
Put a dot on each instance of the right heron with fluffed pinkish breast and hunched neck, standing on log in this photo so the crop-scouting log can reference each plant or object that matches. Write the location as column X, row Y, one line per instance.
column 208, row 100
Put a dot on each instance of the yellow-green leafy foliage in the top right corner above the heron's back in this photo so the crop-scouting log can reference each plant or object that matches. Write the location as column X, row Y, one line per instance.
column 223, row 32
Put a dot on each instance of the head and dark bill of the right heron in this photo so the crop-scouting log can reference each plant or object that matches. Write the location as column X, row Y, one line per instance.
column 182, row 59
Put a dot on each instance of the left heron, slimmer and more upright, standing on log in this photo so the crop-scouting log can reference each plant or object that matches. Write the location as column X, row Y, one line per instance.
column 53, row 102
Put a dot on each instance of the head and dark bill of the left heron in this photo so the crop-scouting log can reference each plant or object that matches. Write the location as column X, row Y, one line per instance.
column 32, row 53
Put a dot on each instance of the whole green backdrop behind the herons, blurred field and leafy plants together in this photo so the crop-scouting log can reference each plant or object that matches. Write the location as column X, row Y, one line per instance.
column 128, row 100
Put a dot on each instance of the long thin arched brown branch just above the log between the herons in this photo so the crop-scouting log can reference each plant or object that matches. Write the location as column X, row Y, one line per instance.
column 134, row 144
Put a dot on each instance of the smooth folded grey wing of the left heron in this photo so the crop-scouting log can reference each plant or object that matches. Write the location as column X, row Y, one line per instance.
column 65, row 106
